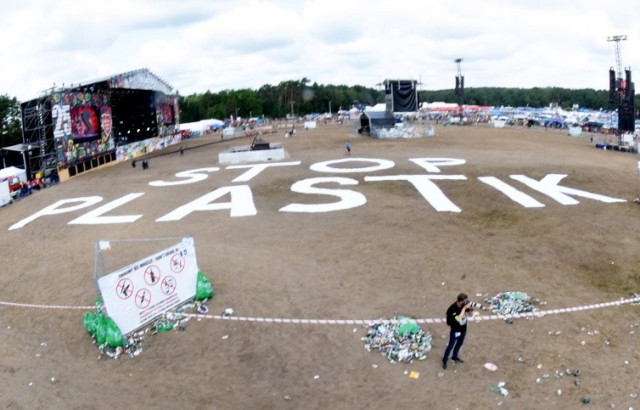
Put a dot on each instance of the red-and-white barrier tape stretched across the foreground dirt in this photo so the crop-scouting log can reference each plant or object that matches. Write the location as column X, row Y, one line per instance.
column 538, row 313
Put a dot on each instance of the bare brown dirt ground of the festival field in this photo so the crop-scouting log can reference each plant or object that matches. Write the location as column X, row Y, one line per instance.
column 394, row 255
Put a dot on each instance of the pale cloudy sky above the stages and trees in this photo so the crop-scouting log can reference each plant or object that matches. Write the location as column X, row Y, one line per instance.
column 200, row 45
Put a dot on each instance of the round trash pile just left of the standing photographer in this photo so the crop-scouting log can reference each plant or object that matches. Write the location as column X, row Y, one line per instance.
column 399, row 339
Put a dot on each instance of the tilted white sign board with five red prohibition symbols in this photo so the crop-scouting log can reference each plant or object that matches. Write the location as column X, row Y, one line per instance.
column 137, row 294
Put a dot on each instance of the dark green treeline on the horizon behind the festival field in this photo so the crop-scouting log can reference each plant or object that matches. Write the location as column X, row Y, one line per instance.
column 300, row 97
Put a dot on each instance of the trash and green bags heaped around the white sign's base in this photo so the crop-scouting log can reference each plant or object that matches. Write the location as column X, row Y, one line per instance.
column 112, row 343
